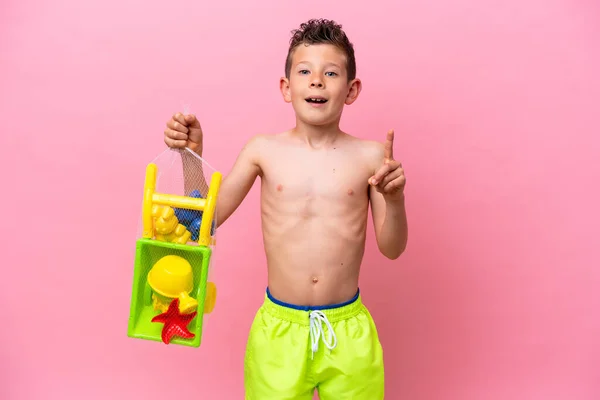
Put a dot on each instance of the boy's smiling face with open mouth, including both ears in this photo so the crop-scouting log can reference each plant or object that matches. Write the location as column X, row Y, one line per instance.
column 318, row 86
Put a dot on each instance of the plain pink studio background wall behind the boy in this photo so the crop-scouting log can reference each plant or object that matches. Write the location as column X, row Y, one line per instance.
column 493, row 102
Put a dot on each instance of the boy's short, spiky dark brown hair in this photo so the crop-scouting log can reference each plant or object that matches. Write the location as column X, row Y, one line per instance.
column 322, row 31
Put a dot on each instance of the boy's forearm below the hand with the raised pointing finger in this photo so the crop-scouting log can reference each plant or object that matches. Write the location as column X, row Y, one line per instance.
column 394, row 230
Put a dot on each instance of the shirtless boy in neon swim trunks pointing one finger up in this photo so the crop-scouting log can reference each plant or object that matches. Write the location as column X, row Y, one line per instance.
column 317, row 183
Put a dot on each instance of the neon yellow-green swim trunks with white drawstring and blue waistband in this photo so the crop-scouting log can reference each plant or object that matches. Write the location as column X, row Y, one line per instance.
column 293, row 350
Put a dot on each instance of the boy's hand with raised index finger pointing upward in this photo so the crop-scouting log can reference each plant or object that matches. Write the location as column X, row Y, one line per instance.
column 389, row 180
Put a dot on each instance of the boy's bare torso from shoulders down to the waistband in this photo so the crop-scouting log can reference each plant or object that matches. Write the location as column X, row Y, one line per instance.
column 314, row 205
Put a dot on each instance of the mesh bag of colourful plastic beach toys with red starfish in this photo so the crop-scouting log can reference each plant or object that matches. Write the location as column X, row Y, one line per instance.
column 172, row 289
